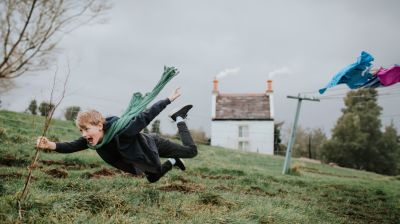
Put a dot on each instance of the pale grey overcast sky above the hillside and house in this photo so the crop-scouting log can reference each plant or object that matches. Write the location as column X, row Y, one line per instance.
column 300, row 44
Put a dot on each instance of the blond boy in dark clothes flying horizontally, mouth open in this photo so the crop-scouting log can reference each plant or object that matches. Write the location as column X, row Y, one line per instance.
column 129, row 150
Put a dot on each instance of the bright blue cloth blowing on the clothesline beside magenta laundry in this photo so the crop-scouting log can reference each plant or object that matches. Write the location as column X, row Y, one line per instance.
column 355, row 75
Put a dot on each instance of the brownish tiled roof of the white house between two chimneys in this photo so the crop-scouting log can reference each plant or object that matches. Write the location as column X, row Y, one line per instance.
column 250, row 106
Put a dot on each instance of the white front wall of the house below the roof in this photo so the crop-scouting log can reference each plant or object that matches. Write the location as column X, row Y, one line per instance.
column 261, row 135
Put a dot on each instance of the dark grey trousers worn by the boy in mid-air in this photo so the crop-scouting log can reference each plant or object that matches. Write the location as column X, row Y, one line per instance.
column 169, row 149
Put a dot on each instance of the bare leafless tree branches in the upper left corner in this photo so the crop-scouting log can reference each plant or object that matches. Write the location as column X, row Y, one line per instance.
column 31, row 29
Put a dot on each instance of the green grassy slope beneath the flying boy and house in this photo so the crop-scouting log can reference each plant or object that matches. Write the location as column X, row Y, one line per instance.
column 220, row 186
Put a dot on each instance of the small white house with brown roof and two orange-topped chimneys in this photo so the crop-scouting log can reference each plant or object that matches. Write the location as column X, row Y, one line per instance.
column 243, row 121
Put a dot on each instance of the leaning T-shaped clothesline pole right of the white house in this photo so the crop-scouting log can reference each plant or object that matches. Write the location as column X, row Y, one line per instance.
column 286, row 165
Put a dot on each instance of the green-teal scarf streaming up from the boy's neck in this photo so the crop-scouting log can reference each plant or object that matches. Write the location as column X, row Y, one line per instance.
column 137, row 105
